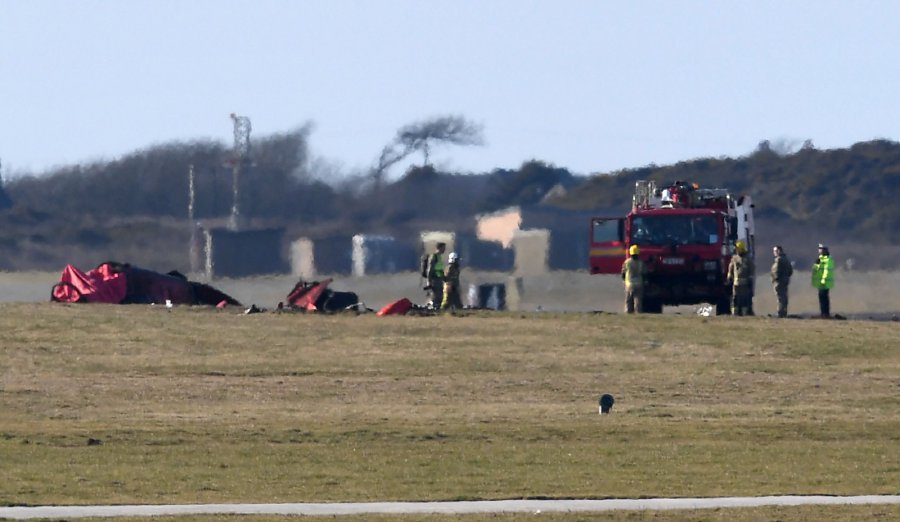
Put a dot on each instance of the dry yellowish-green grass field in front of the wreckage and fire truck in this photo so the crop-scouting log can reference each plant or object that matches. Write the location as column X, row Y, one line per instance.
column 141, row 404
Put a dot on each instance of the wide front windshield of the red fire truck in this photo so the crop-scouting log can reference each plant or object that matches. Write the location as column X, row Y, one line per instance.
column 674, row 230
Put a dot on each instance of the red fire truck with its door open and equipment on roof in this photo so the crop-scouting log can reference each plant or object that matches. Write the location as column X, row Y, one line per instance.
column 686, row 236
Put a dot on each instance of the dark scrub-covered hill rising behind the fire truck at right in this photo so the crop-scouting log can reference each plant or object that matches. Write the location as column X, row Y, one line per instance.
column 841, row 196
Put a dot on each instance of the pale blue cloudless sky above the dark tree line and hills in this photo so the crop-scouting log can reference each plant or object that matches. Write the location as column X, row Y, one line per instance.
column 592, row 86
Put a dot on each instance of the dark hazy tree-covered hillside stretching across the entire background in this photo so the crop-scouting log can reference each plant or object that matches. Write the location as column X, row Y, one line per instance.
column 135, row 208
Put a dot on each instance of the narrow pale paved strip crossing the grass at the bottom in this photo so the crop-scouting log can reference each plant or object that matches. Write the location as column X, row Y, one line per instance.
column 487, row 506
